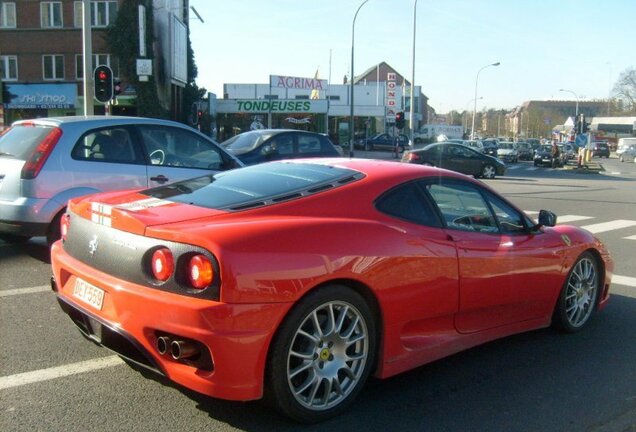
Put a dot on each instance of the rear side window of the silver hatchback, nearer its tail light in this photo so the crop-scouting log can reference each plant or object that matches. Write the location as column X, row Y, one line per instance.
column 107, row 145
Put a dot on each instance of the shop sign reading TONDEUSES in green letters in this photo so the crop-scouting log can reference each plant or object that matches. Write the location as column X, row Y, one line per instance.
column 317, row 106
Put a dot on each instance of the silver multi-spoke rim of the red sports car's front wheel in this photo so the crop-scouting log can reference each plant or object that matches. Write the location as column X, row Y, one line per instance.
column 581, row 292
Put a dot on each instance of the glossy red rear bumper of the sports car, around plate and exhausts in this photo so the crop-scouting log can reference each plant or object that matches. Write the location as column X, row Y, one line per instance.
column 234, row 338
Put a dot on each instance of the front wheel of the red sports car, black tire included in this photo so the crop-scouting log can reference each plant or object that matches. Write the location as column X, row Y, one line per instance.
column 578, row 296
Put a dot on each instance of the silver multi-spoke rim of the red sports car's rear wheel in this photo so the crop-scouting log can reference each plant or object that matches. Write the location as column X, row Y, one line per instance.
column 328, row 355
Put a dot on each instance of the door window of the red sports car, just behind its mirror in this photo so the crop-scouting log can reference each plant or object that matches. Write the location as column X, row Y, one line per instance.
column 463, row 207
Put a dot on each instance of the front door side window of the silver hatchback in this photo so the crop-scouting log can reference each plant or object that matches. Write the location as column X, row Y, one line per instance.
column 167, row 146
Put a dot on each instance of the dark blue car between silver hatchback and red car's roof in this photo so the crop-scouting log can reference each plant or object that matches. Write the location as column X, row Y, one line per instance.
column 264, row 145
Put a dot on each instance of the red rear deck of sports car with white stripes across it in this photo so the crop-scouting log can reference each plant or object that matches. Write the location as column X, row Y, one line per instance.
column 135, row 212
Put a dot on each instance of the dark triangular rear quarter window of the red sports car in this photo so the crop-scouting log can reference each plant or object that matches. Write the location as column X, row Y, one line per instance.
column 409, row 203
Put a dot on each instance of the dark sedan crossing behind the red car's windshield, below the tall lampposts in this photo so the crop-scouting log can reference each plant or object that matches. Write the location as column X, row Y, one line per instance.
column 456, row 157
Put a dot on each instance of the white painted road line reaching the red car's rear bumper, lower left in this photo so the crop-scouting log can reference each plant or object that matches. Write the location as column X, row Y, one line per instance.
column 58, row 372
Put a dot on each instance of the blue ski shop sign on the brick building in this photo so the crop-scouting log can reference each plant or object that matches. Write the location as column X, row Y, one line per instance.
column 40, row 96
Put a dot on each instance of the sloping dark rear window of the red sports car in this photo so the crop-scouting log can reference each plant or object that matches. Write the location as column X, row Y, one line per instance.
column 256, row 186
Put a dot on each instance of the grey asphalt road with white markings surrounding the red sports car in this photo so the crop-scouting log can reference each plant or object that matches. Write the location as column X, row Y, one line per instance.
column 51, row 379
